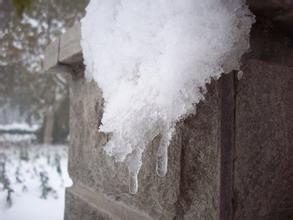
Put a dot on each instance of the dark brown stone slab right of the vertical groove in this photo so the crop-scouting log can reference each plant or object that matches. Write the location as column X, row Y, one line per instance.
column 264, row 160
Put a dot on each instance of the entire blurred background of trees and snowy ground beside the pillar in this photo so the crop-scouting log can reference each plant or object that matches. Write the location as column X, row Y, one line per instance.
column 34, row 109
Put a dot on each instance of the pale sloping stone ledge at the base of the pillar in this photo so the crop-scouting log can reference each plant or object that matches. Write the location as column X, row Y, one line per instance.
column 106, row 207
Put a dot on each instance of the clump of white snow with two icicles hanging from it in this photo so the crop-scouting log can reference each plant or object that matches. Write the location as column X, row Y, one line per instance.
column 152, row 59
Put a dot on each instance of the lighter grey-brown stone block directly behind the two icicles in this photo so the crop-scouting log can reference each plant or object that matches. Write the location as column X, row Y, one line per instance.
column 93, row 168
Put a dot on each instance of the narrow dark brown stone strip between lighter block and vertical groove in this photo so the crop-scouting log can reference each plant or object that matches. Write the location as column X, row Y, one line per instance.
column 199, row 177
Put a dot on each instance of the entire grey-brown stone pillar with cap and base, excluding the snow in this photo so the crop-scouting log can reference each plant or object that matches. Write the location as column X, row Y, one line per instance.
column 233, row 159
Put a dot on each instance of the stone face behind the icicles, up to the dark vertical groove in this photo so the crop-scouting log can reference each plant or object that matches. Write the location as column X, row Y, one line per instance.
column 161, row 198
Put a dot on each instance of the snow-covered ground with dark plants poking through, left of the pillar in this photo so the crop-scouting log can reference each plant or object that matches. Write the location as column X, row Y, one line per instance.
column 32, row 181
